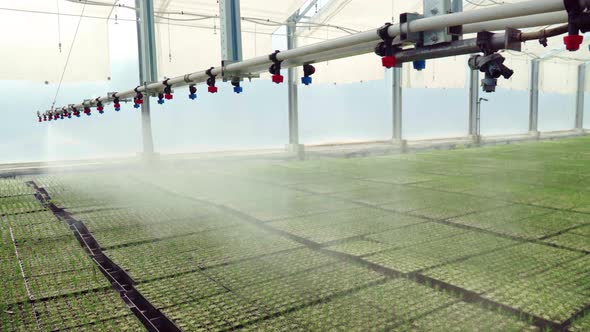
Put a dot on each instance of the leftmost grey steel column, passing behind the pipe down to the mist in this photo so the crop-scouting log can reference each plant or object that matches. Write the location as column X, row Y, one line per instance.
column 148, row 72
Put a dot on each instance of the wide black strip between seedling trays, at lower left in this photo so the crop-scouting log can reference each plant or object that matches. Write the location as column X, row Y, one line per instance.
column 152, row 318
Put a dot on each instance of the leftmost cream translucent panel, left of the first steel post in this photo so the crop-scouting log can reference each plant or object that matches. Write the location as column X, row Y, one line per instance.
column 35, row 32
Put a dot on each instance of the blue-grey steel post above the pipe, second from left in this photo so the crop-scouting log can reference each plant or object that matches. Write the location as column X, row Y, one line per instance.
column 231, row 30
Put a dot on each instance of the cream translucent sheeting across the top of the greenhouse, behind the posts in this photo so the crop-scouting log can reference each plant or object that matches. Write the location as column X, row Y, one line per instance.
column 188, row 39
